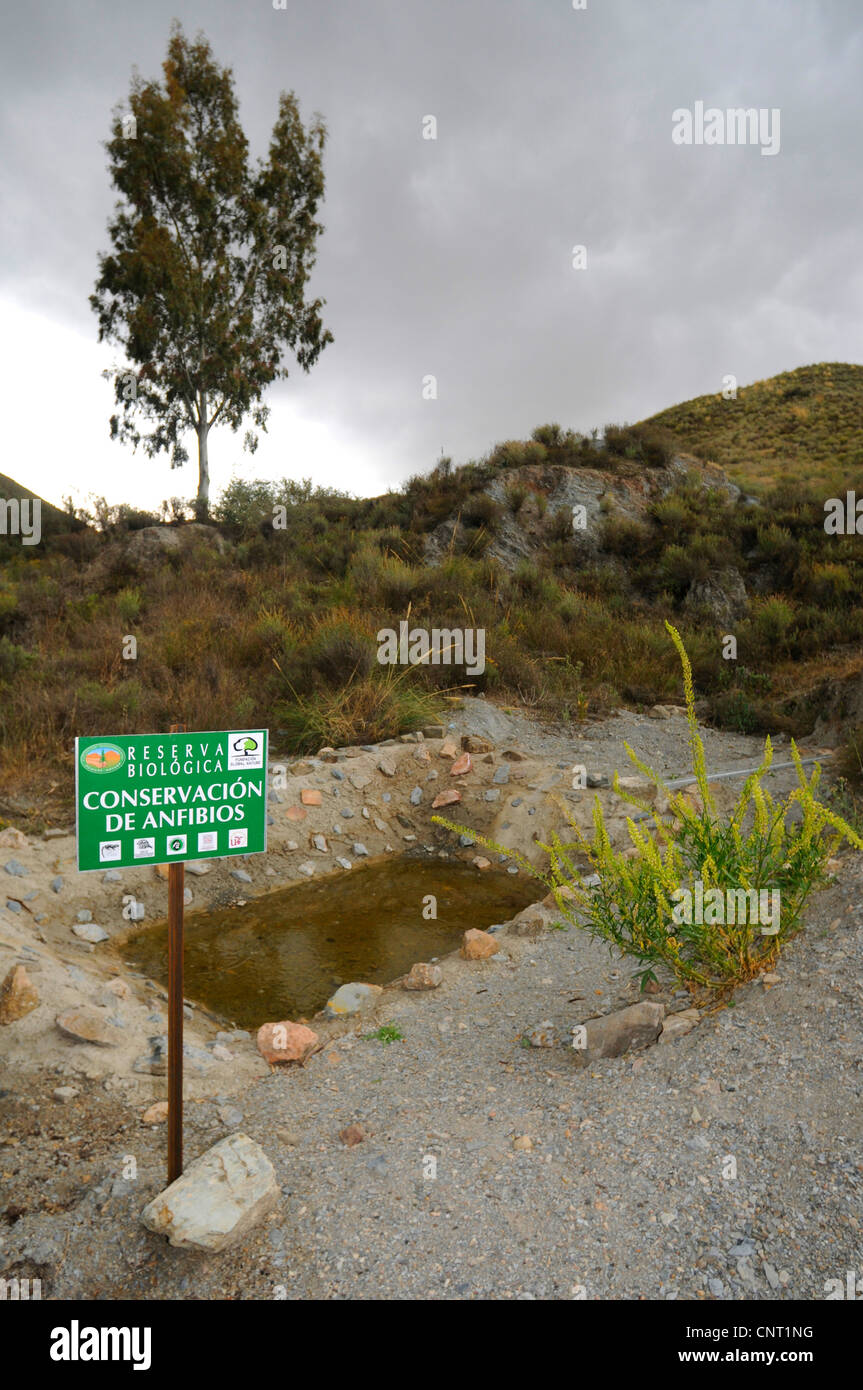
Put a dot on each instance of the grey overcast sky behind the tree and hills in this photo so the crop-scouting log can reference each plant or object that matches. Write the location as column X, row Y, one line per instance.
column 454, row 258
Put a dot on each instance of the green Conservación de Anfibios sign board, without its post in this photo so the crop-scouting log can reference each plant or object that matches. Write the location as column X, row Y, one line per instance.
column 165, row 799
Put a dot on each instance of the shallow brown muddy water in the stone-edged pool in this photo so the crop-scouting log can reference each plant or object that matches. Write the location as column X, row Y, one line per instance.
column 284, row 956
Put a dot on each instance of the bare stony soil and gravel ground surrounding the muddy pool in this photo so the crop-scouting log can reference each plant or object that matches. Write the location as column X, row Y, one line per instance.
column 622, row 1191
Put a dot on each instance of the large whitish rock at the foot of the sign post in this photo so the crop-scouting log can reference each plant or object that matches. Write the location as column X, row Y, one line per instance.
column 219, row 1199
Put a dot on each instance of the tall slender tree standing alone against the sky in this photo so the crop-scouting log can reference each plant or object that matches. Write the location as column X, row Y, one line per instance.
column 205, row 286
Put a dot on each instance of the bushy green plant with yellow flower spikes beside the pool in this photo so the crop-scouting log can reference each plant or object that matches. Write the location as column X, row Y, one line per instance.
column 637, row 900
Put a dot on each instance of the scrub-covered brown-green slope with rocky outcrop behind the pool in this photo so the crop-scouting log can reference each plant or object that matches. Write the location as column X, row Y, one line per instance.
column 569, row 554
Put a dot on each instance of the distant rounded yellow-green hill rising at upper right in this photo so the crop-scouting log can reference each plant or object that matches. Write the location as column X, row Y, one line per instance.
column 801, row 425
